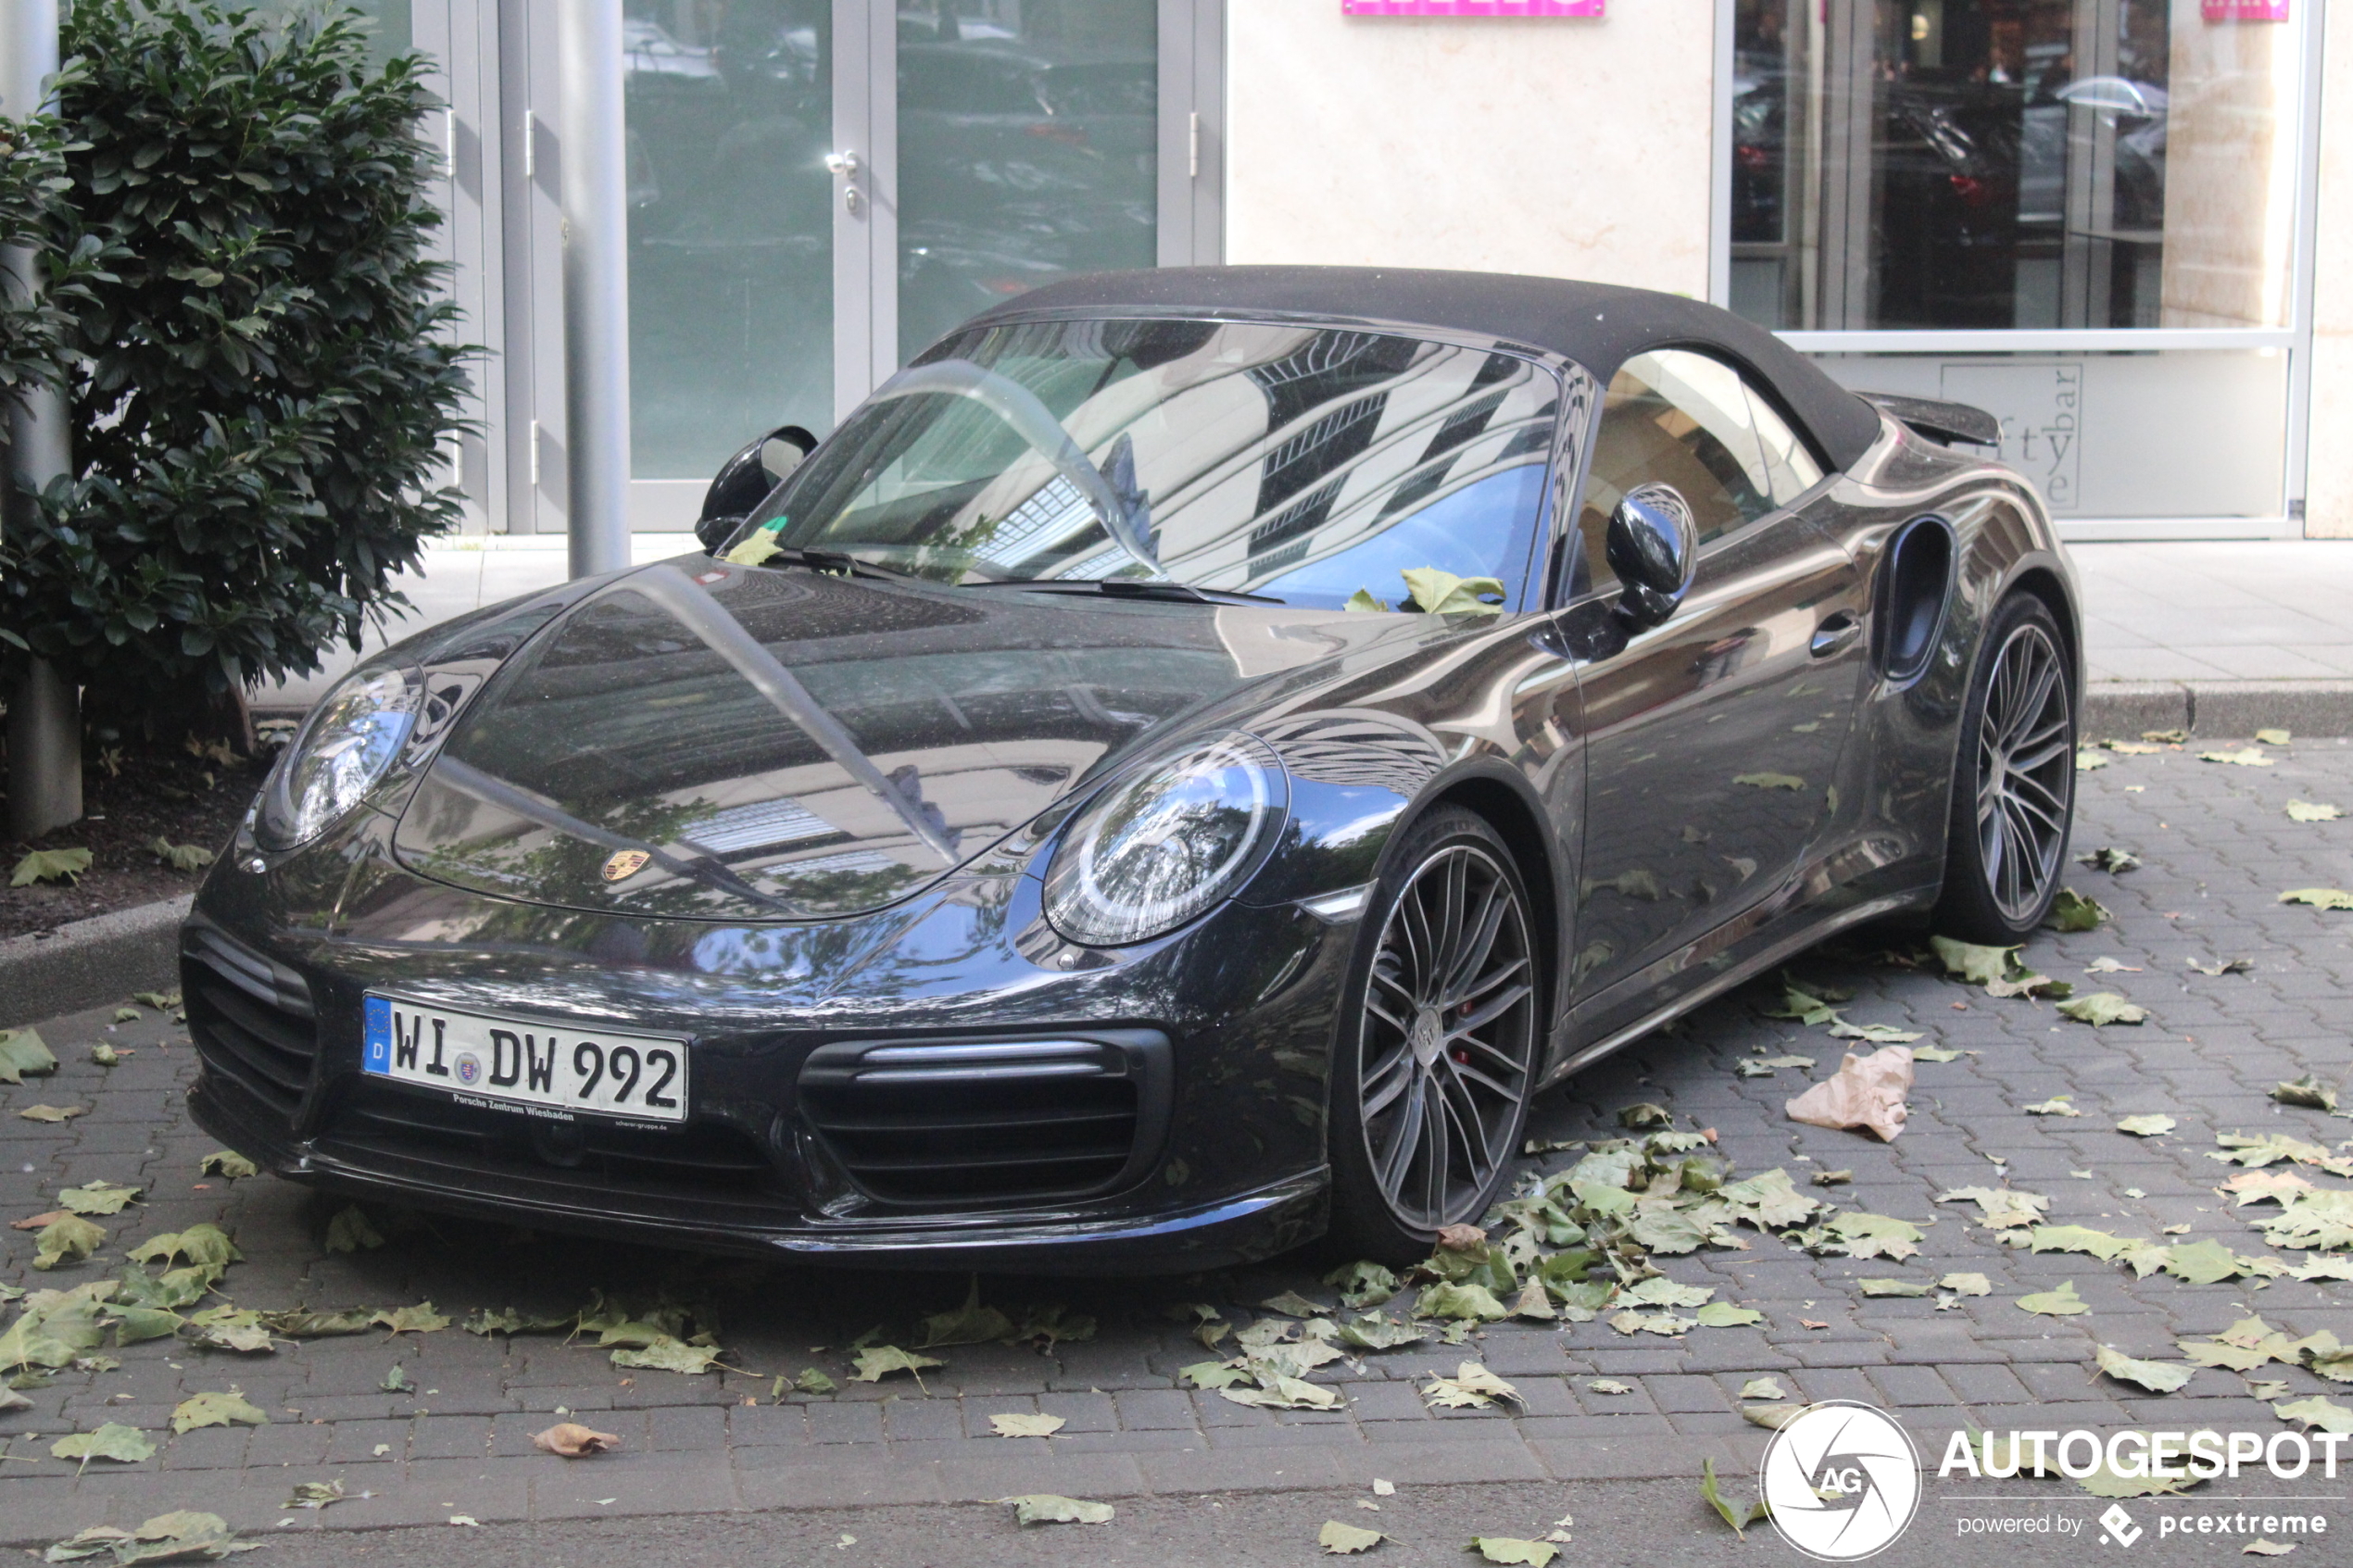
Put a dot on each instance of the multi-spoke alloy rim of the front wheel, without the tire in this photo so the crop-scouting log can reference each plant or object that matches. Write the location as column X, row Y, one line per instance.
column 1451, row 1028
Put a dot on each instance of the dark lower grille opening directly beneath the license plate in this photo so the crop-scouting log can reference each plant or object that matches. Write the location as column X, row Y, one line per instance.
column 700, row 1158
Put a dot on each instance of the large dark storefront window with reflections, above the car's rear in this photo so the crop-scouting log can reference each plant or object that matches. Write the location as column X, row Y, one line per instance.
column 2013, row 166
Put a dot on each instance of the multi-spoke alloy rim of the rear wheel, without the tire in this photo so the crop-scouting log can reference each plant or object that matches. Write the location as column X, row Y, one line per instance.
column 2025, row 772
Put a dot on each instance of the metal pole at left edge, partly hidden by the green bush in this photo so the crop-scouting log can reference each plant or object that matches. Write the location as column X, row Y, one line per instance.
column 44, row 711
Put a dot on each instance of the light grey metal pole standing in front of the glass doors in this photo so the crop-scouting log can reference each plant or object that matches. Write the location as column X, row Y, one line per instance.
column 594, row 185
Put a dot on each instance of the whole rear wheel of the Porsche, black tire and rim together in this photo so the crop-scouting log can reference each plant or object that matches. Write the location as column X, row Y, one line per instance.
column 2013, row 782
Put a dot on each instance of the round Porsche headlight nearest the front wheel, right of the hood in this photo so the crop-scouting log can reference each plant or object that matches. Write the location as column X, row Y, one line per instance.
column 1161, row 847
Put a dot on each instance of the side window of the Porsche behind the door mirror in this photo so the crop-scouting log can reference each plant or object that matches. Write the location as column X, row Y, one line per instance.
column 1686, row 420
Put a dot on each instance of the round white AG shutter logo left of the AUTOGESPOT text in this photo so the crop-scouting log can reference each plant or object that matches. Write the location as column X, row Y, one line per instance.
column 1844, row 1482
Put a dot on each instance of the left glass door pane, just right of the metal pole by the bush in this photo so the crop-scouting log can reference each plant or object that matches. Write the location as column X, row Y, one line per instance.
column 731, row 227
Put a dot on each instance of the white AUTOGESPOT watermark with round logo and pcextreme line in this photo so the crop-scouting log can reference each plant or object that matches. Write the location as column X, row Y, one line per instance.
column 1844, row 1480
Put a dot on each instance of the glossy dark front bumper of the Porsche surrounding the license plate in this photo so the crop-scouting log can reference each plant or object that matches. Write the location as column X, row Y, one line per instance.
column 1227, row 1162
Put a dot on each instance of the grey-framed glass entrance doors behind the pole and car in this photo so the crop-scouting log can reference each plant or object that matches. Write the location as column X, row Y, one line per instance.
column 815, row 192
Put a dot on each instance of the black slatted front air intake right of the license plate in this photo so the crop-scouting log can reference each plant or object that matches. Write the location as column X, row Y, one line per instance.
column 989, row 1123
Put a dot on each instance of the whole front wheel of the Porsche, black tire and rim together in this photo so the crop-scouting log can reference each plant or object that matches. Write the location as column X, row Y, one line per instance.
column 1427, row 1115
